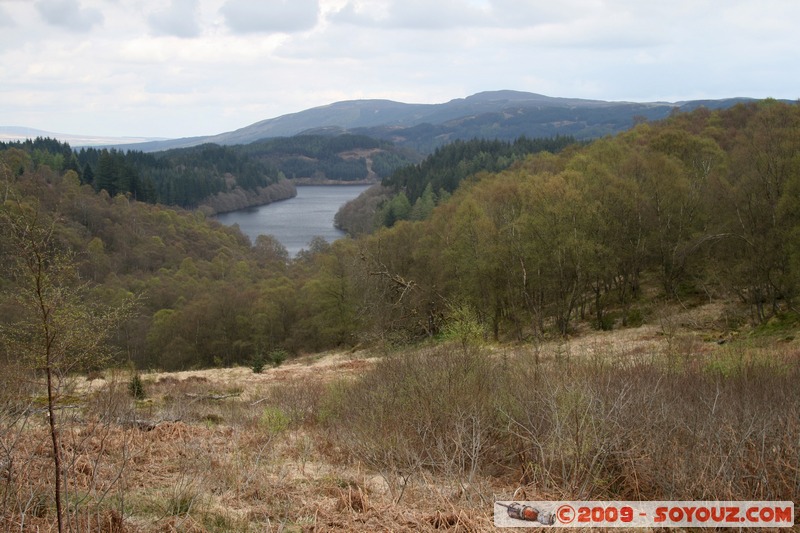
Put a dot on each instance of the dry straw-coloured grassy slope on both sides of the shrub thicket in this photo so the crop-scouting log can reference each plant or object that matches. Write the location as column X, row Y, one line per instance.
column 231, row 450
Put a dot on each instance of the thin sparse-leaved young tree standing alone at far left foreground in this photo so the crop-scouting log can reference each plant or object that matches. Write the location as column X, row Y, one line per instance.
column 57, row 331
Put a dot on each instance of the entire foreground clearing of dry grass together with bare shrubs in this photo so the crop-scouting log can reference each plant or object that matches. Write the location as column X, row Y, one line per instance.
column 423, row 440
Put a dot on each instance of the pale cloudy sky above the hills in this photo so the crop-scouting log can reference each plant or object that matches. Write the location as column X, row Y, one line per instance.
column 178, row 68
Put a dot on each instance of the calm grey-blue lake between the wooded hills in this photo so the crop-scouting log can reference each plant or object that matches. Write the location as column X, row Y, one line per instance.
column 296, row 221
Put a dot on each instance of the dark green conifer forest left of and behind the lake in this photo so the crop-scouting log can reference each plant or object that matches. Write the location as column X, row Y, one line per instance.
column 190, row 177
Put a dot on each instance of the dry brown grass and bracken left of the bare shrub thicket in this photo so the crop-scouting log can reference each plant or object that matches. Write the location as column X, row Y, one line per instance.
column 255, row 460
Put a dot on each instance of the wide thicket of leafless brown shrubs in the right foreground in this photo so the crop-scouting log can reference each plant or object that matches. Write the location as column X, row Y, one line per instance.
column 601, row 428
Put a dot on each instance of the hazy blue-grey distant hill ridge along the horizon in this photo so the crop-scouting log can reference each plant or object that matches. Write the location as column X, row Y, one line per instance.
column 503, row 115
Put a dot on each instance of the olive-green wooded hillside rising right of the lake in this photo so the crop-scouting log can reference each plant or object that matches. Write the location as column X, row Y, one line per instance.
column 702, row 204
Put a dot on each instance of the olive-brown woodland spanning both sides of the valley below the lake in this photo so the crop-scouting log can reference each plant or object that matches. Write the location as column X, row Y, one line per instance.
column 703, row 205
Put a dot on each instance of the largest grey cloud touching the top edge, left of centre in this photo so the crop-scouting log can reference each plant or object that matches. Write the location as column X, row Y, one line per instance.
column 270, row 16
